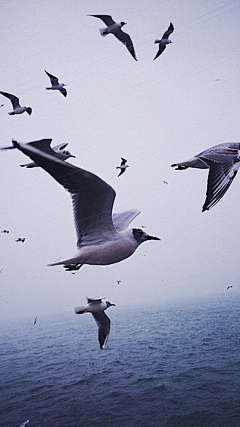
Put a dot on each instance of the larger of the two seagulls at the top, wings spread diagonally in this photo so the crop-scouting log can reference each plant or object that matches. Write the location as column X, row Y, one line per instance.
column 115, row 29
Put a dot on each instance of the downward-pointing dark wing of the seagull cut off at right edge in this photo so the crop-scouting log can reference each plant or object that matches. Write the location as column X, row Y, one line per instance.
column 220, row 178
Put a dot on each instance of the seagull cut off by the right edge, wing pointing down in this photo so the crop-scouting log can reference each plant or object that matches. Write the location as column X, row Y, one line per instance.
column 223, row 163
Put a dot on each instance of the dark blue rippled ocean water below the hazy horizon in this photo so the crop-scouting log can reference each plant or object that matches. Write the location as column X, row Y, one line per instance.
column 174, row 365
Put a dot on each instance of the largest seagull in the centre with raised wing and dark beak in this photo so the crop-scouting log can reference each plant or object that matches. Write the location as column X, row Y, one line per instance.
column 102, row 238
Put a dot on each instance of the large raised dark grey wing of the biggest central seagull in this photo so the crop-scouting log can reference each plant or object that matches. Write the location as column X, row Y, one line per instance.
column 92, row 197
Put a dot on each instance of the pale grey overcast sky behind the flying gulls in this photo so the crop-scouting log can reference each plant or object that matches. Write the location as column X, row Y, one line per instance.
column 153, row 113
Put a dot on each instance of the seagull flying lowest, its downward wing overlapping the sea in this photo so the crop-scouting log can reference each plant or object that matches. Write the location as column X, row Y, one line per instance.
column 97, row 308
